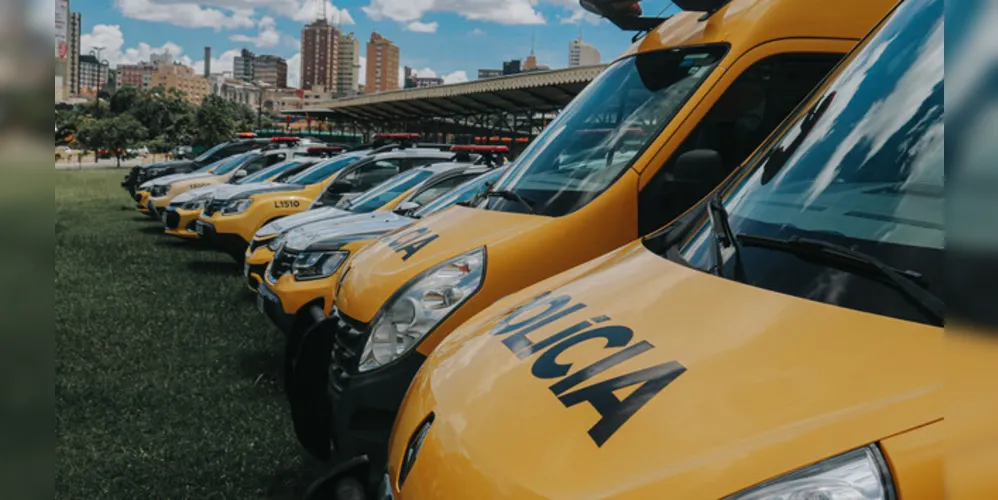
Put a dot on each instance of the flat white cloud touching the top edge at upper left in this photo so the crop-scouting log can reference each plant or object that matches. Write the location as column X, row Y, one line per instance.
column 188, row 15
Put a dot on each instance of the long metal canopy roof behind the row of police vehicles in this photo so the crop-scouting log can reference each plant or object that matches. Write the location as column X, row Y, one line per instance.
column 540, row 91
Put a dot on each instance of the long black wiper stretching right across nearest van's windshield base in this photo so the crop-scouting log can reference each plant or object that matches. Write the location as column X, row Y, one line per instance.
column 910, row 283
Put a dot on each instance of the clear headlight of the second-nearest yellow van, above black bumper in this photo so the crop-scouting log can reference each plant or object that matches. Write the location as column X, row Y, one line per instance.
column 423, row 304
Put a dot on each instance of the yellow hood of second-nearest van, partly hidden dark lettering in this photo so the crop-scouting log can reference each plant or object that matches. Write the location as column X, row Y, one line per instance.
column 388, row 264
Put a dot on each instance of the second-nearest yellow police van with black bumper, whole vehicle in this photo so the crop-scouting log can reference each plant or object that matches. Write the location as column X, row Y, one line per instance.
column 718, row 76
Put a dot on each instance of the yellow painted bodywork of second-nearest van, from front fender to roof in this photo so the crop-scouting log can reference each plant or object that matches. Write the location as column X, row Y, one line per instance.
column 524, row 249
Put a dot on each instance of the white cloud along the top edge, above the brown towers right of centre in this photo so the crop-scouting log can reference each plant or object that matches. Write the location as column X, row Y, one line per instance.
column 506, row 12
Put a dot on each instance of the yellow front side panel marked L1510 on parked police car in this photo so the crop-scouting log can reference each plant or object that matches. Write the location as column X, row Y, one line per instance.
column 265, row 208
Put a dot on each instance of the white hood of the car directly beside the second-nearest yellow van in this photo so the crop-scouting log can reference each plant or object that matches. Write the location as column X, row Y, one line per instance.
column 332, row 234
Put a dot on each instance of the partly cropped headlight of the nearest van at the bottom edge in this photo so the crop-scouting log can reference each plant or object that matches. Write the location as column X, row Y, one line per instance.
column 857, row 475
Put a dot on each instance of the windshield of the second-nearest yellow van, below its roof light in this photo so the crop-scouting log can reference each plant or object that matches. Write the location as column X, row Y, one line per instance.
column 604, row 129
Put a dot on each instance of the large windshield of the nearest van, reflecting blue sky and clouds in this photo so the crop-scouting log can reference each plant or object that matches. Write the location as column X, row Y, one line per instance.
column 861, row 168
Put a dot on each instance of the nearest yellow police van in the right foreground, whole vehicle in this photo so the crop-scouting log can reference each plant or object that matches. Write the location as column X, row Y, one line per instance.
column 781, row 340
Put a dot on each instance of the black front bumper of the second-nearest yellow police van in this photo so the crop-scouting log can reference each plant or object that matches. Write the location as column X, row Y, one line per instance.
column 335, row 407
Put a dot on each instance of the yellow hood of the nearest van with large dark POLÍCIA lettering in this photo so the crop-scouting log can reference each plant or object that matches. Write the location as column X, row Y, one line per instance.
column 729, row 385
